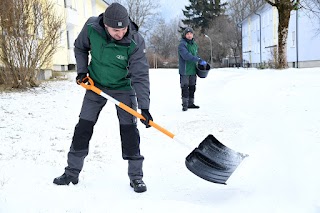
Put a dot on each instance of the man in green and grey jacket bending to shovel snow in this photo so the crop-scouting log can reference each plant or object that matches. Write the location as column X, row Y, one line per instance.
column 119, row 67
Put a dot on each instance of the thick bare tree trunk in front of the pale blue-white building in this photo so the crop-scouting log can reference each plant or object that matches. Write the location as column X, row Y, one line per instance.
column 284, row 8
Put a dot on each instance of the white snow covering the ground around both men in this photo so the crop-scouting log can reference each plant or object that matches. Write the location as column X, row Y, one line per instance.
column 272, row 115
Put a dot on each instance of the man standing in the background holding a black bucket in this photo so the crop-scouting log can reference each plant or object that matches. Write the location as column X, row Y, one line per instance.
column 188, row 59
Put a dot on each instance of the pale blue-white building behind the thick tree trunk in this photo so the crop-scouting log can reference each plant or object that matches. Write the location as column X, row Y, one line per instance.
column 260, row 38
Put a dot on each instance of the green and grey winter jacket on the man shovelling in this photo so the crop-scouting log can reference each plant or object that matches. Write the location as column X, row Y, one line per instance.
column 114, row 65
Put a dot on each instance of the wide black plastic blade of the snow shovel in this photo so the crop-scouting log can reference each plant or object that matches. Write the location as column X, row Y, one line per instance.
column 213, row 161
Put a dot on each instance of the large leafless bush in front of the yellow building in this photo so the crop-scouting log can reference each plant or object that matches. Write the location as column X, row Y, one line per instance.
column 30, row 31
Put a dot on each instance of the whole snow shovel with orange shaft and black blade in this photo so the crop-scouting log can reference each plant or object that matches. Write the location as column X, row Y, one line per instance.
column 211, row 160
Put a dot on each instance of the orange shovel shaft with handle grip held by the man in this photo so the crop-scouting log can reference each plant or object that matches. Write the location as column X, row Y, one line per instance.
column 93, row 88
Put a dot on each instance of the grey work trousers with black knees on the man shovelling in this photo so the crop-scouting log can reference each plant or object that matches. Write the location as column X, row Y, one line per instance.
column 130, row 138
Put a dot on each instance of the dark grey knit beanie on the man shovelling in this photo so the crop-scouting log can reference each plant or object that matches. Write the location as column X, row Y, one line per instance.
column 116, row 16
